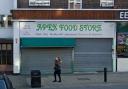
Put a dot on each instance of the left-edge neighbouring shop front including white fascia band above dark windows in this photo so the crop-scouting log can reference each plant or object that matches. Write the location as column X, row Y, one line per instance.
column 6, row 50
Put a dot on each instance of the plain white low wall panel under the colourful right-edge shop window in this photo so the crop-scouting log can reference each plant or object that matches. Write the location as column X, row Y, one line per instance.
column 122, row 64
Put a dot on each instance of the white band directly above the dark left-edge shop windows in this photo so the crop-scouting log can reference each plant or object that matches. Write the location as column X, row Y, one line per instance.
column 6, row 32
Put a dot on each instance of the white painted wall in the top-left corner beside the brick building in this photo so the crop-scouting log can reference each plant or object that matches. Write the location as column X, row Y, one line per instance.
column 6, row 6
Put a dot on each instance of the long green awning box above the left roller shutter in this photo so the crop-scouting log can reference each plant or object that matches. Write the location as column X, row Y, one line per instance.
column 47, row 42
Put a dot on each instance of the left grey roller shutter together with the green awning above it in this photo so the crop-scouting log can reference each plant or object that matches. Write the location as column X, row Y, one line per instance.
column 42, row 57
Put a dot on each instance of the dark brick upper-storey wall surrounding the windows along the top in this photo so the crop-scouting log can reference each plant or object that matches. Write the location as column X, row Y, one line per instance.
column 92, row 4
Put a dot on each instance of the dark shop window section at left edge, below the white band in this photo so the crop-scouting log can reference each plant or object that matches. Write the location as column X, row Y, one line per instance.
column 6, row 56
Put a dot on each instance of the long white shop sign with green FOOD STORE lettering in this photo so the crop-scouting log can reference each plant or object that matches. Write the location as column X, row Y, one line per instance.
column 67, row 29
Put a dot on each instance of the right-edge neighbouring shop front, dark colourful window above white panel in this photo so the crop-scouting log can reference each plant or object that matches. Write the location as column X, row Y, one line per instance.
column 122, row 46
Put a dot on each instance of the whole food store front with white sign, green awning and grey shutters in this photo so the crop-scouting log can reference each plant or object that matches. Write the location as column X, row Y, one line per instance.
column 83, row 46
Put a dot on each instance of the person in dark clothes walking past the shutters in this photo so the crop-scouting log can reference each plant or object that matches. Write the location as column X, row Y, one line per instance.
column 57, row 69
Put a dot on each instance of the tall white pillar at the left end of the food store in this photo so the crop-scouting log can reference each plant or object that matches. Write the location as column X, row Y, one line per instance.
column 16, row 48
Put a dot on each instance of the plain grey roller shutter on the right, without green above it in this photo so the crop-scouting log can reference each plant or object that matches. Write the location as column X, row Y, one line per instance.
column 93, row 55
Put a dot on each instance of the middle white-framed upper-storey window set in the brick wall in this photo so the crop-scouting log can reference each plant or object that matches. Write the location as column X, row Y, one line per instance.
column 75, row 4
